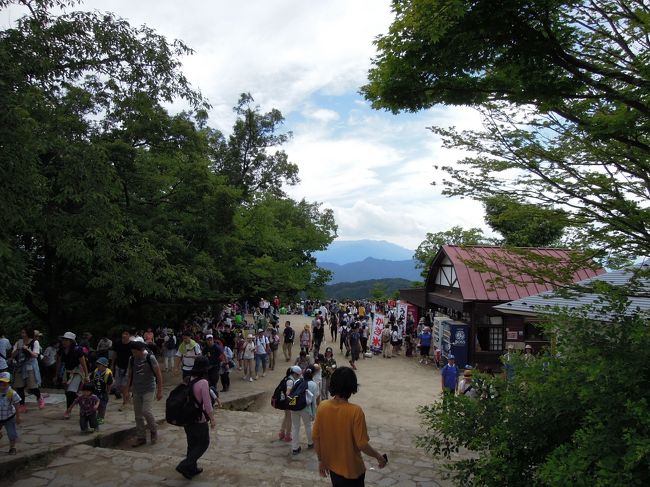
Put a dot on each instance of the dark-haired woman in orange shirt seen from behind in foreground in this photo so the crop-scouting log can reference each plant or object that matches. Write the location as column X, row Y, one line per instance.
column 340, row 433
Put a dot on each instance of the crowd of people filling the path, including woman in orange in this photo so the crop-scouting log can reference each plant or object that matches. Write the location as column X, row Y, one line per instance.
column 206, row 350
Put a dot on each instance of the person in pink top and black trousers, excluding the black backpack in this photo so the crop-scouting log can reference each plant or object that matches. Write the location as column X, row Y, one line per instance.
column 197, row 433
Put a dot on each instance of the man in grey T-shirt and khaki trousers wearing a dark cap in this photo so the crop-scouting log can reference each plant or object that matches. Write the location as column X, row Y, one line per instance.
column 145, row 380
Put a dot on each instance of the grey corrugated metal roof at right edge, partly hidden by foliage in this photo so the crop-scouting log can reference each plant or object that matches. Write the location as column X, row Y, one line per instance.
column 532, row 305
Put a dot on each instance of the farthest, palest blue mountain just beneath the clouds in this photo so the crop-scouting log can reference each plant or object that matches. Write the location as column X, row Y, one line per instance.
column 347, row 251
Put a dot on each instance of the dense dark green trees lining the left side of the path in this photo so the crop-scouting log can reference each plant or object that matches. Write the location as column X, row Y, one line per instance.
column 116, row 210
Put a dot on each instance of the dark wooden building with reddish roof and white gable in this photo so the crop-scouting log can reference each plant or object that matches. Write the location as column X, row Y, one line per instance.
column 460, row 284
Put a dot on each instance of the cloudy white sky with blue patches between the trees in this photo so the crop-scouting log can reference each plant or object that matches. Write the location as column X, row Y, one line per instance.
column 308, row 59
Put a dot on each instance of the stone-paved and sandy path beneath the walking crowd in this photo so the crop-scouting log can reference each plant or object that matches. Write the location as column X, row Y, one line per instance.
column 244, row 450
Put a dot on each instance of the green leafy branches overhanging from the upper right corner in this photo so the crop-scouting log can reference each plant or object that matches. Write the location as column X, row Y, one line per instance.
column 563, row 88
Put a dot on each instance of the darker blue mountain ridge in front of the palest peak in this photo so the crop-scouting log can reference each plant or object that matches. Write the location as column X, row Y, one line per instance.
column 371, row 268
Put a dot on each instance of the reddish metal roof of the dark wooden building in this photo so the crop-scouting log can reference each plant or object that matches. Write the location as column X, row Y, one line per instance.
column 481, row 286
